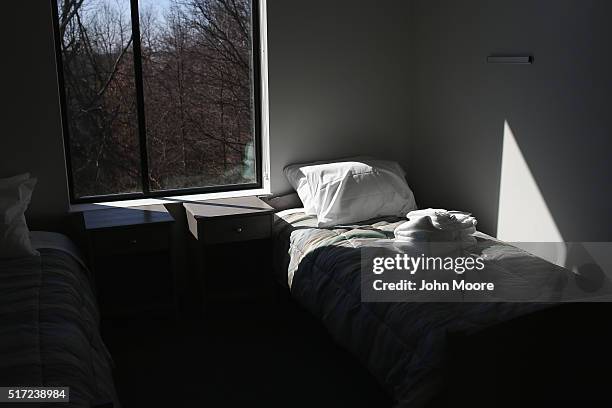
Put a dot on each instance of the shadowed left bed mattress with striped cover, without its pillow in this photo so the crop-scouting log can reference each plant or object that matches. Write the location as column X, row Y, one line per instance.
column 49, row 330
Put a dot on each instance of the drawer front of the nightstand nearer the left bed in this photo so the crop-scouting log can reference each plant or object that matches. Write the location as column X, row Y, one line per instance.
column 131, row 240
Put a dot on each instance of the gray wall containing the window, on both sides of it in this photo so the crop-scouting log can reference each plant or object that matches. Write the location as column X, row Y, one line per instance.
column 337, row 87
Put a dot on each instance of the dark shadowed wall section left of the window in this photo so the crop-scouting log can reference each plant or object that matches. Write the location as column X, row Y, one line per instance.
column 31, row 139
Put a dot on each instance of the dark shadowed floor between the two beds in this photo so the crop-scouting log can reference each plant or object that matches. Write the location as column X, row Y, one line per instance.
column 250, row 353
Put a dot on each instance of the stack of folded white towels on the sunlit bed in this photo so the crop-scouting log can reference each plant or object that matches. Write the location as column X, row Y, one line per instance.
column 437, row 225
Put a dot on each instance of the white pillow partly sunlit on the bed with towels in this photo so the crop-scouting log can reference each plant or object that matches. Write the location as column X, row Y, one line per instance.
column 351, row 190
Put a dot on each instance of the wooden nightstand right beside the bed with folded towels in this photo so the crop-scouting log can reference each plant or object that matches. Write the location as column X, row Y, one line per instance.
column 230, row 239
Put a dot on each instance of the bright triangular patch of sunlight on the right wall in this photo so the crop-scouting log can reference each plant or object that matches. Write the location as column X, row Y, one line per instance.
column 523, row 215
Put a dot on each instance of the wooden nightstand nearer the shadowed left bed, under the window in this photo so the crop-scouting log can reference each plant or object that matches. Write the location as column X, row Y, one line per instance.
column 130, row 252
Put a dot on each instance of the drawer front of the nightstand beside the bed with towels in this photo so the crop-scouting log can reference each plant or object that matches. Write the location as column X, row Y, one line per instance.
column 234, row 229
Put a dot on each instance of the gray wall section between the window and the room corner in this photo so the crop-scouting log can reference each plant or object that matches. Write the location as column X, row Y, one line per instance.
column 338, row 81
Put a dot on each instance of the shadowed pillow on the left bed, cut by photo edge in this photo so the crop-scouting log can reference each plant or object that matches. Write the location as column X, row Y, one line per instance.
column 15, row 195
